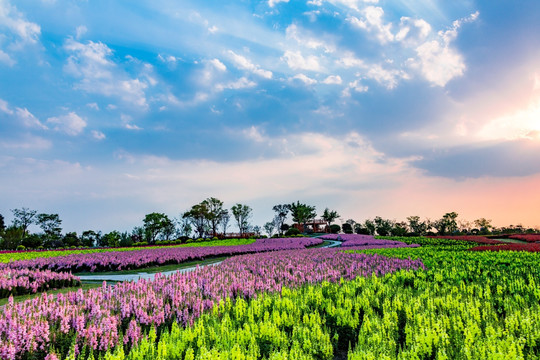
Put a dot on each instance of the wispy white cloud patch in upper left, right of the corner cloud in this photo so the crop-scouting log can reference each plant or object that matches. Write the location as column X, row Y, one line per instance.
column 100, row 75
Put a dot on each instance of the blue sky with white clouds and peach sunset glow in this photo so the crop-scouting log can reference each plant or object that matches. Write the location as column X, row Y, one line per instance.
column 110, row 110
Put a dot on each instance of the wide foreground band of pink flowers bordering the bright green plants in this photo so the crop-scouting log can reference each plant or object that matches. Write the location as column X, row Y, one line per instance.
column 107, row 317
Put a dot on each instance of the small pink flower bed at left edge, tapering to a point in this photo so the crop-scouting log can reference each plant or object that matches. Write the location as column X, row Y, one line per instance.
column 27, row 281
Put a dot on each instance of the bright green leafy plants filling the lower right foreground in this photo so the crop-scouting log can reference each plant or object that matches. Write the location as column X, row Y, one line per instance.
column 464, row 306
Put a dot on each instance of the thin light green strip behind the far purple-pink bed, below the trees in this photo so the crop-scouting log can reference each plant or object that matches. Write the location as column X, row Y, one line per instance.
column 8, row 257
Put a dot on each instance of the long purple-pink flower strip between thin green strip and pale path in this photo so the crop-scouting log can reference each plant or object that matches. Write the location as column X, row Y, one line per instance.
column 127, row 260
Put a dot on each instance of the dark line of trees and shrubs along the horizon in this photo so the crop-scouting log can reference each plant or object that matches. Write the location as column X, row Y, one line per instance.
column 210, row 219
